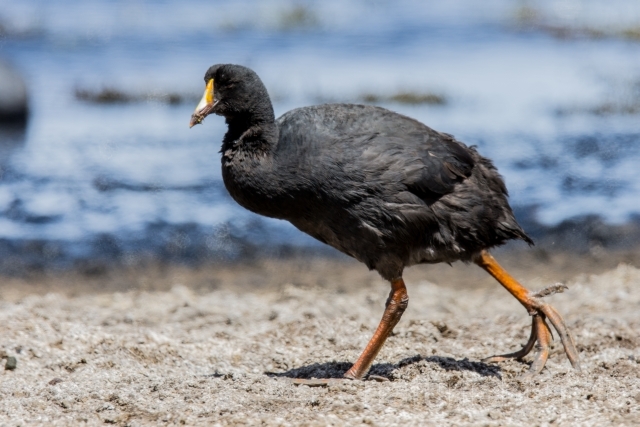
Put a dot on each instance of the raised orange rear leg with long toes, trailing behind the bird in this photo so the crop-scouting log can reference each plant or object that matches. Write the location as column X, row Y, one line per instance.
column 540, row 311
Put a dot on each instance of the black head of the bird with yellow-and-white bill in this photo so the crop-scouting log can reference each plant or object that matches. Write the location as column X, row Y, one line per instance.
column 231, row 91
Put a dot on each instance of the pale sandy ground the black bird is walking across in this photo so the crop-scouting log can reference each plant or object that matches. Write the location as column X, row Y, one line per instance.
column 221, row 345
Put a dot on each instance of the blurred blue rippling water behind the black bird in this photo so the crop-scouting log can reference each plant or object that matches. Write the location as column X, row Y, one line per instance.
column 107, row 169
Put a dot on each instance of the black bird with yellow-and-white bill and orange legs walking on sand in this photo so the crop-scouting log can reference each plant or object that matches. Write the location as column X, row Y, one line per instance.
column 378, row 186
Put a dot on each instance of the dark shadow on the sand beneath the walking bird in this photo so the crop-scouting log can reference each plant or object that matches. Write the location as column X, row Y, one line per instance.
column 387, row 370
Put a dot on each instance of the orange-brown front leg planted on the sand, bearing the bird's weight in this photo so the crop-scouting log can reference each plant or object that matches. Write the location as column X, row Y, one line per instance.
column 396, row 304
